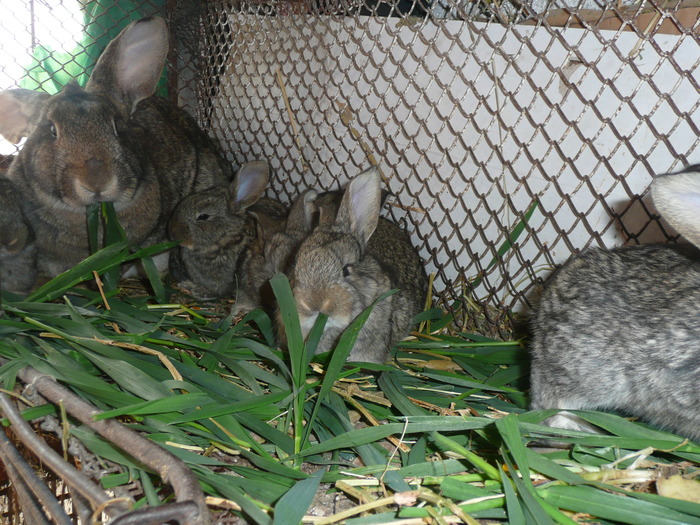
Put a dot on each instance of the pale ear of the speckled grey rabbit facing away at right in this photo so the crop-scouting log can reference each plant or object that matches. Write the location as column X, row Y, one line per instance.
column 677, row 197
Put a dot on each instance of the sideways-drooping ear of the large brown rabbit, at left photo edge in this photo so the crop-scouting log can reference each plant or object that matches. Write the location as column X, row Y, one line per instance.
column 19, row 111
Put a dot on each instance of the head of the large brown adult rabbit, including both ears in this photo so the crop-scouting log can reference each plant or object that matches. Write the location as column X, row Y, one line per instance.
column 73, row 136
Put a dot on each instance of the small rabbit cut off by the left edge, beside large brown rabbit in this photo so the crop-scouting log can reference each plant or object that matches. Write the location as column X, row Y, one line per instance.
column 17, row 249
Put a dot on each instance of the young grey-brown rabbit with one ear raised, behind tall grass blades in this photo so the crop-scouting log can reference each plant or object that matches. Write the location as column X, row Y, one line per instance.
column 342, row 267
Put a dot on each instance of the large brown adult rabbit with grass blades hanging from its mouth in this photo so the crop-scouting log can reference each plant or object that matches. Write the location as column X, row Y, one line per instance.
column 112, row 141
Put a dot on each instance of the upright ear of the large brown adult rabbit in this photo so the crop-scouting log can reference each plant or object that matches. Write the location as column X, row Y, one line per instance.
column 130, row 66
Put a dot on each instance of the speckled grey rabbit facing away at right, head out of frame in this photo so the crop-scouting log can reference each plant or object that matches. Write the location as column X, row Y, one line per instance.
column 618, row 329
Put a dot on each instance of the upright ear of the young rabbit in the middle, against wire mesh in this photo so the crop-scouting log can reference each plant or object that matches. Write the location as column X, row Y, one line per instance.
column 358, row 214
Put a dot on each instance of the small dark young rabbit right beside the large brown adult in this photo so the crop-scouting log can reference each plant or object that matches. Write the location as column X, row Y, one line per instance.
column 217, row 228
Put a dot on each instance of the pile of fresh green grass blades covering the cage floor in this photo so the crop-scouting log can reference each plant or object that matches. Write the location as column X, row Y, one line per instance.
column 441, row 434
